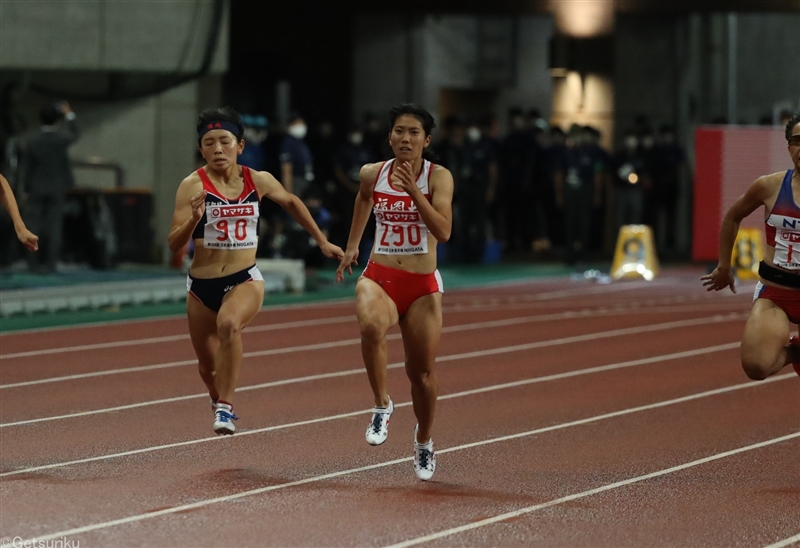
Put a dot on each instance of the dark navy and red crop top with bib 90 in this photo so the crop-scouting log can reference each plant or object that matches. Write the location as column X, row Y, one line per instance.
column 229, row 224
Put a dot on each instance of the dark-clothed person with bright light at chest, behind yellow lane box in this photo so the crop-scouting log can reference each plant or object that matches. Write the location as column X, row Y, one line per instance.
column 630, row 180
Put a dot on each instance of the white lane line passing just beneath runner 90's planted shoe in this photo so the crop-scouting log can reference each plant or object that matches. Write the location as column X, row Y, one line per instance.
column 515, row 384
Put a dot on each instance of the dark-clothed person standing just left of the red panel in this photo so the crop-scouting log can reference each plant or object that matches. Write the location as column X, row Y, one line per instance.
column 666, row 187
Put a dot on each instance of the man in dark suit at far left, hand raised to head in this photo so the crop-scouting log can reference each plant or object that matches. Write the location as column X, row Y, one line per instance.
column 46, row 176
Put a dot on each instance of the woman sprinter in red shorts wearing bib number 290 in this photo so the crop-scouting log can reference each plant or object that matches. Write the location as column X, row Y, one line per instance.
column 412, row 201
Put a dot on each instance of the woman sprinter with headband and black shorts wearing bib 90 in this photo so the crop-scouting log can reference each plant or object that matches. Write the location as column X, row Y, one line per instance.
column 217, row 206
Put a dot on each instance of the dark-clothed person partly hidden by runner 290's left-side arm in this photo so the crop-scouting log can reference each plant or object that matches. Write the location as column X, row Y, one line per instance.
column 347, row 162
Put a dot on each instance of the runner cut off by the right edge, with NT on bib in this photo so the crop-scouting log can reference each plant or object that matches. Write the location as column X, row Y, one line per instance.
column 776, row 302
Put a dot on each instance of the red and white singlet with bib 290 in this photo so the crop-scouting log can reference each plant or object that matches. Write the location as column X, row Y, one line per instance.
column 400, row 229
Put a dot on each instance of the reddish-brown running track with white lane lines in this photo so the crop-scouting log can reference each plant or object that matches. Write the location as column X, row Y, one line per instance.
column 570, row 414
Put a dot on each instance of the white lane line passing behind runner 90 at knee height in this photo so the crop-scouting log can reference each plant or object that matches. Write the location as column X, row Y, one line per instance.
column 285, row 325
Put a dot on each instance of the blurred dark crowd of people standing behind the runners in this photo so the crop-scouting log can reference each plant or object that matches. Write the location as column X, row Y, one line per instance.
column 534, row 191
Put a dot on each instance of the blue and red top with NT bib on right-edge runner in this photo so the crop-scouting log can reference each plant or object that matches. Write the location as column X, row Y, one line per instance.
column 782, row 227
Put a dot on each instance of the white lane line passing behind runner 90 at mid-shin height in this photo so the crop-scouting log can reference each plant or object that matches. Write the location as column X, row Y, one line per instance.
column 323, row 346
